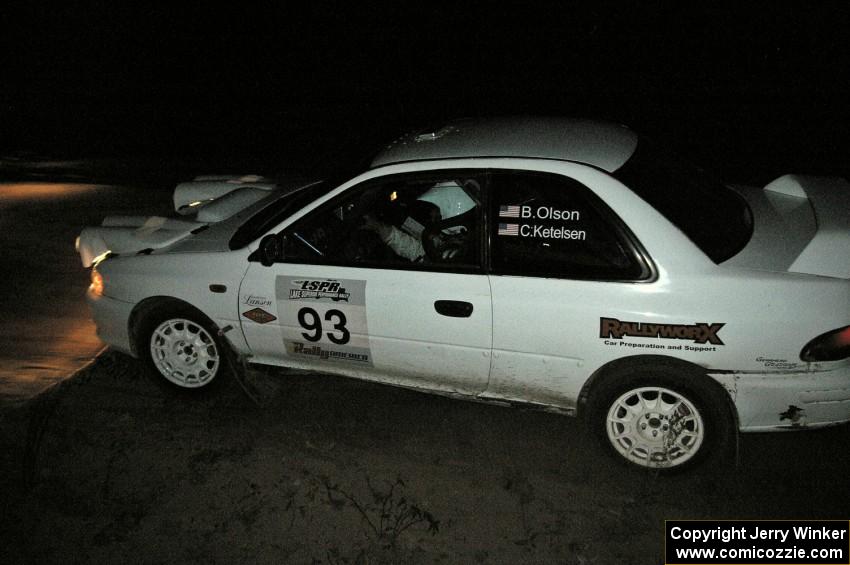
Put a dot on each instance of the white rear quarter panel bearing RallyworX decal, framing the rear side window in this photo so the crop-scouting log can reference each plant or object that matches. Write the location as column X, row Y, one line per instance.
column 550, row 335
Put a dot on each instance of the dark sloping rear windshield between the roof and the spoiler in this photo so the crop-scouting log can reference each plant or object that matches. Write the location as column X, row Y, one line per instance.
column 712, row 215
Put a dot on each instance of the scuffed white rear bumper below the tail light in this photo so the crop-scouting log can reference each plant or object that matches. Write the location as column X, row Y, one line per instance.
column 789, row 401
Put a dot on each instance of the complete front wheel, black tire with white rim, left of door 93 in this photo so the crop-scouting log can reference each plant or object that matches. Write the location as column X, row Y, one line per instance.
column 181, row 347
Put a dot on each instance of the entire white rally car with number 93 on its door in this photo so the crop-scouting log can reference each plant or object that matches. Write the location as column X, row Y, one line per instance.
column 568, row 264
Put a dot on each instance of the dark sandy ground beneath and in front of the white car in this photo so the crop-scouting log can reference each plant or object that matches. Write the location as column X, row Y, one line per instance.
column 108, row 466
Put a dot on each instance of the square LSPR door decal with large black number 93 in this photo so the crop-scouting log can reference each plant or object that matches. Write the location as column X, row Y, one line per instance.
column 324, row 319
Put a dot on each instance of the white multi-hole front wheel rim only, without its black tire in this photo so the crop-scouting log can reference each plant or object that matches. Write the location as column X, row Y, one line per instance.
column 185, row 353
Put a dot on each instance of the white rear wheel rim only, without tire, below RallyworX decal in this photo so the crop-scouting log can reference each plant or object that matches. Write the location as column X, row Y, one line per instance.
column 655, row 427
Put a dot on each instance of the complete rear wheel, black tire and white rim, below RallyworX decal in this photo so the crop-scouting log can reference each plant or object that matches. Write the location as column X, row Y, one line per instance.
column 661, row 415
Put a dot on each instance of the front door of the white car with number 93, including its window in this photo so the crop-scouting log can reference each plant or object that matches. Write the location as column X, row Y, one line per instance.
column 358, row 292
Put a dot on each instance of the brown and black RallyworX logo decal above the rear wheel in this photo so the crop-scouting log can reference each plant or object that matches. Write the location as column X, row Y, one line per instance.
column 699, row 333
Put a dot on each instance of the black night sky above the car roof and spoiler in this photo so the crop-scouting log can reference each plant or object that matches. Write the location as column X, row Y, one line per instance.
column 764, row 87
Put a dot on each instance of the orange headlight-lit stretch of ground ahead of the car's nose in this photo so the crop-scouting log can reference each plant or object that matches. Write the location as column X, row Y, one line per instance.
column 46, row 332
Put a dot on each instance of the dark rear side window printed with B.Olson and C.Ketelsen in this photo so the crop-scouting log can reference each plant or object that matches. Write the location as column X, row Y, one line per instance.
column 550, row 225
